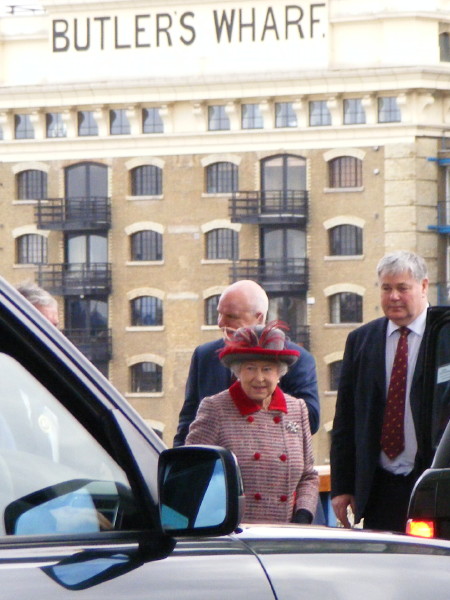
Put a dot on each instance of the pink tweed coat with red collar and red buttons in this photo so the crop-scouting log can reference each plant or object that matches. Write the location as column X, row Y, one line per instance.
column 273, row 449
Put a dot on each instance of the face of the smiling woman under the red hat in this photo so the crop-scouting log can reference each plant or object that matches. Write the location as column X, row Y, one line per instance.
column 259, row 379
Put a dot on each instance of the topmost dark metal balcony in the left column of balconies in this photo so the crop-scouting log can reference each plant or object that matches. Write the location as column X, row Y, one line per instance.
column 72, row 214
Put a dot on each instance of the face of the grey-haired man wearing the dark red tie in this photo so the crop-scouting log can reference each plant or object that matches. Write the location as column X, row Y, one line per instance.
column 403, row 298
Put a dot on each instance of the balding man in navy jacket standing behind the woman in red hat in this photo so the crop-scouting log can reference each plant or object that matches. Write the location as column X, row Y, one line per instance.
column 243, row 303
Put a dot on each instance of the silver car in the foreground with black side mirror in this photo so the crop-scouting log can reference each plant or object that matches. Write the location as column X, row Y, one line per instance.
column 93, row 505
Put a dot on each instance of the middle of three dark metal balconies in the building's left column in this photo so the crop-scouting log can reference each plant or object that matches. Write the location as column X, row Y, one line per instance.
column 75, row 279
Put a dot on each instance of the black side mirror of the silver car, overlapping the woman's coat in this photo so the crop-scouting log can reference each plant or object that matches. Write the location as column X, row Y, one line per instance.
column 200, row 491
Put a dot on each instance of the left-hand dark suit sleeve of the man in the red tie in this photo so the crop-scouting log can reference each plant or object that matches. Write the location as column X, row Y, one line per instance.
column 342, row 453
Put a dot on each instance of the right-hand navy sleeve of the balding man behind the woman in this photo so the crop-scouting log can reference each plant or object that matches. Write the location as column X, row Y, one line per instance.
column 301, row 382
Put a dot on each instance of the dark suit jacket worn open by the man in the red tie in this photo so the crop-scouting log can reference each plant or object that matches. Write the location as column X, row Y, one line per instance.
column 356, row 435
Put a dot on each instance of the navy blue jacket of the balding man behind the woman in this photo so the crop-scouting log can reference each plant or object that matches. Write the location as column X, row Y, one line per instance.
column 207, row 376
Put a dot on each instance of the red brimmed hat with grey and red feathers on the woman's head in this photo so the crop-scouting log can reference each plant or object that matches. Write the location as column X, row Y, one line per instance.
column 258, row 343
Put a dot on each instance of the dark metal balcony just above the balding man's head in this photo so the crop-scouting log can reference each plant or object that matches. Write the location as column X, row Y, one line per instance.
column 273, row 274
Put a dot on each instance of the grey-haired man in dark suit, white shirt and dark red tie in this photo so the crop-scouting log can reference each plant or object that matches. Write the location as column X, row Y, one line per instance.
column 365, row 474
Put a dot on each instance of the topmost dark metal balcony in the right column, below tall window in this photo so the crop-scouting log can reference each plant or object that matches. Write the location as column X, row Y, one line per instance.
column 269, row 207
